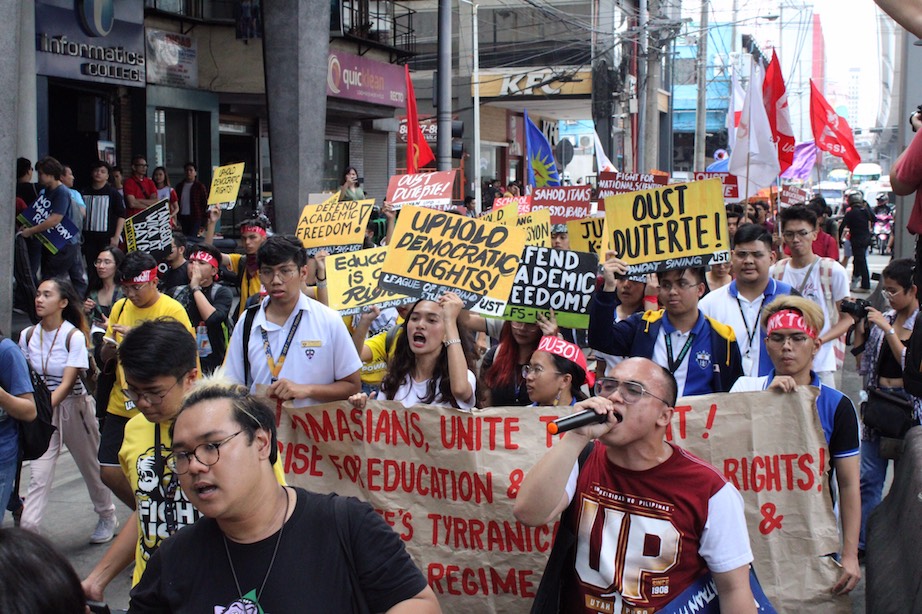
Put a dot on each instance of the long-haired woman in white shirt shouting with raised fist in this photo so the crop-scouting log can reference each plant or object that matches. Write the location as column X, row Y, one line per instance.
column 432, row 359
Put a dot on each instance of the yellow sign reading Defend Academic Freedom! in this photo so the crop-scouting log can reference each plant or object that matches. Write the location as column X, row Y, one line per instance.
column 334, row 226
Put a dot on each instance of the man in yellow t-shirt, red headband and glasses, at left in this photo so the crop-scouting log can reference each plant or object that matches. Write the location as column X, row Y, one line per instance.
column 143, row 302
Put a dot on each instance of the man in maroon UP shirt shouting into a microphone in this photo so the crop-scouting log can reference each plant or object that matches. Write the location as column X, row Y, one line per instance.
column 637, row 544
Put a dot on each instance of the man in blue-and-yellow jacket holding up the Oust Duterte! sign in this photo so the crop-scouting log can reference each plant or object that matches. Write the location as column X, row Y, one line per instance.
column 700, row 352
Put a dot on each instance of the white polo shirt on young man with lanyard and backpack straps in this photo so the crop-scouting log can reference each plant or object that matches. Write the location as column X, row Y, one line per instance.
column 321, row 352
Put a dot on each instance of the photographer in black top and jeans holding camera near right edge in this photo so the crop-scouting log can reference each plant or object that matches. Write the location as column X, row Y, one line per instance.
column 882, row 339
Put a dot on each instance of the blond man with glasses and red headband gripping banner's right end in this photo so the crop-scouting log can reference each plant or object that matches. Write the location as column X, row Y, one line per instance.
column 792, row 325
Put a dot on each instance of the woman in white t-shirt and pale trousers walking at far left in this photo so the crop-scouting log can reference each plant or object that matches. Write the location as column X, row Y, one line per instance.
column 56, row 349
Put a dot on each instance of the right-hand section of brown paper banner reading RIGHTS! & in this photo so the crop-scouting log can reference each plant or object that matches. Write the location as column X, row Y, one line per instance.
column 771, row 446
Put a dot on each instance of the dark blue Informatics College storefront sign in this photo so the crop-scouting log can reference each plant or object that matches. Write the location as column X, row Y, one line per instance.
column 96, row 41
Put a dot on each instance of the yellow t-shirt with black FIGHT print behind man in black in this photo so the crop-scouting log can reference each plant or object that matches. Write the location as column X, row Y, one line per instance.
column 138, row 458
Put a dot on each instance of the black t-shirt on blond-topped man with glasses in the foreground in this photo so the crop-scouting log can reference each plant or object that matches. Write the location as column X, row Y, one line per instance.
column 190, row 571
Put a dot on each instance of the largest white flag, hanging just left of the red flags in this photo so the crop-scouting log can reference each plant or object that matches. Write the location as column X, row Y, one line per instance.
column 754, row 159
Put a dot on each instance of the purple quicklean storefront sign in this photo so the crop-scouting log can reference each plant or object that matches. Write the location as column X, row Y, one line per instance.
column 358, row 78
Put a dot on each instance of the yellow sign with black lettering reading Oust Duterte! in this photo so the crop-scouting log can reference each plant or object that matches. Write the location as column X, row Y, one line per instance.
column 677, row 226
